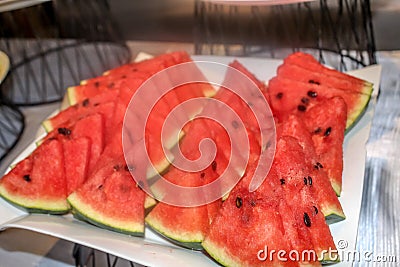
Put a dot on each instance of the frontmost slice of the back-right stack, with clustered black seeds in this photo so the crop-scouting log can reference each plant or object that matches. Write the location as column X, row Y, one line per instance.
column 288, row 96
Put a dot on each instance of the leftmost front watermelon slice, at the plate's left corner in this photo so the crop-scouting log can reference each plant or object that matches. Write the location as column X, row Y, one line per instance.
column 35, row 185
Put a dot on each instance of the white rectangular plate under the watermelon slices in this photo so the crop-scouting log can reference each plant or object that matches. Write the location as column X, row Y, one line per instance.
column 155, row 251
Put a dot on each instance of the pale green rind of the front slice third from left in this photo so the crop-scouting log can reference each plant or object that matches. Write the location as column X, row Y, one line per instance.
column 192, row 242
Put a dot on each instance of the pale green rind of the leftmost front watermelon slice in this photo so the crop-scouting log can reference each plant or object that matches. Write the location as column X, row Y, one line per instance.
column 42, row 206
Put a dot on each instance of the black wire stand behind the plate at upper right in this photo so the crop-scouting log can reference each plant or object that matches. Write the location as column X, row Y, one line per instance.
column 339, row 30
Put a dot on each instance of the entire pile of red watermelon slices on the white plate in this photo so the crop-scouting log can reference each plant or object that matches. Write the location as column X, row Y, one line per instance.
column 313, row 107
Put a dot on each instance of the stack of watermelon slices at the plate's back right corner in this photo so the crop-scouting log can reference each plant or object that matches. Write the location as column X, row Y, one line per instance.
column 301, row 83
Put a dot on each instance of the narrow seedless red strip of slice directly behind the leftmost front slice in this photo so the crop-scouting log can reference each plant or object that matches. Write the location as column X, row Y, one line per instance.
column 77, row 156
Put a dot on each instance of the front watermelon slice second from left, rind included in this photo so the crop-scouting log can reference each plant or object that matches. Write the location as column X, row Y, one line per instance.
column 111, row 199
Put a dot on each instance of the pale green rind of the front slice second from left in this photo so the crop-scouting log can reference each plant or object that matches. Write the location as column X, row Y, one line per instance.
column 85, row 212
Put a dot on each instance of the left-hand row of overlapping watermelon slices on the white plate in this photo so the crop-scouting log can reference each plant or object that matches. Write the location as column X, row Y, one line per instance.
column 82, row 150
